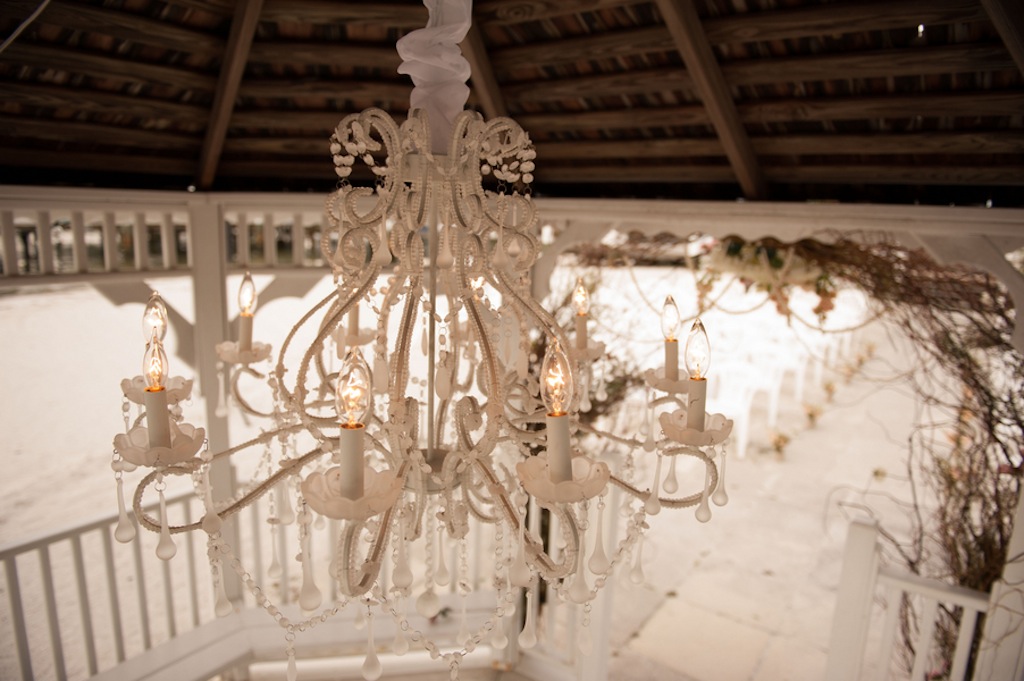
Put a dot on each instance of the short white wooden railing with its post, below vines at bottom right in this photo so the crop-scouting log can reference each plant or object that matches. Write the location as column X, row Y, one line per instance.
column 868, row 613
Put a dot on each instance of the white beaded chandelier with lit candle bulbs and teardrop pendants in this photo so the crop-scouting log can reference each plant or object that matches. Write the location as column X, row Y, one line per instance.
column 400, row 460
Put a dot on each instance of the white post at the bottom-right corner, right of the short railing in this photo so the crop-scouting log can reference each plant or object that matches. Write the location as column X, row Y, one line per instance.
column 1001, row 655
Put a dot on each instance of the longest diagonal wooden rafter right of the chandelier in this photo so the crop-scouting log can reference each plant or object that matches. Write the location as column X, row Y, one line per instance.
column 684, row 23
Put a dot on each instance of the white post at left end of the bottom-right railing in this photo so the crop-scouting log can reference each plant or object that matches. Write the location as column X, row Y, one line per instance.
column 854, row 603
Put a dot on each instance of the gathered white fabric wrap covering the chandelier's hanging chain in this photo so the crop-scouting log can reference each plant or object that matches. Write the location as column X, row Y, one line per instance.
column 433, row 58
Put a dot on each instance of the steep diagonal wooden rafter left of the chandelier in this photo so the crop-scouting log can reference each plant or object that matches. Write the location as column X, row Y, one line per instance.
column 232, row 69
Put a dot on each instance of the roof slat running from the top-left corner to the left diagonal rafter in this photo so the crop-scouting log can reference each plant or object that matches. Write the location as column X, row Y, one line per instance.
column 122, row 25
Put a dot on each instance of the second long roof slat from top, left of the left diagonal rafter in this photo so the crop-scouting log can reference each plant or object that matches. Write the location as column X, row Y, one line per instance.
column 104, row 68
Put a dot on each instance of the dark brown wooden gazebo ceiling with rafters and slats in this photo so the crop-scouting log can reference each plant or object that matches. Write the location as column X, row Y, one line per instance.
column 884, row 101
